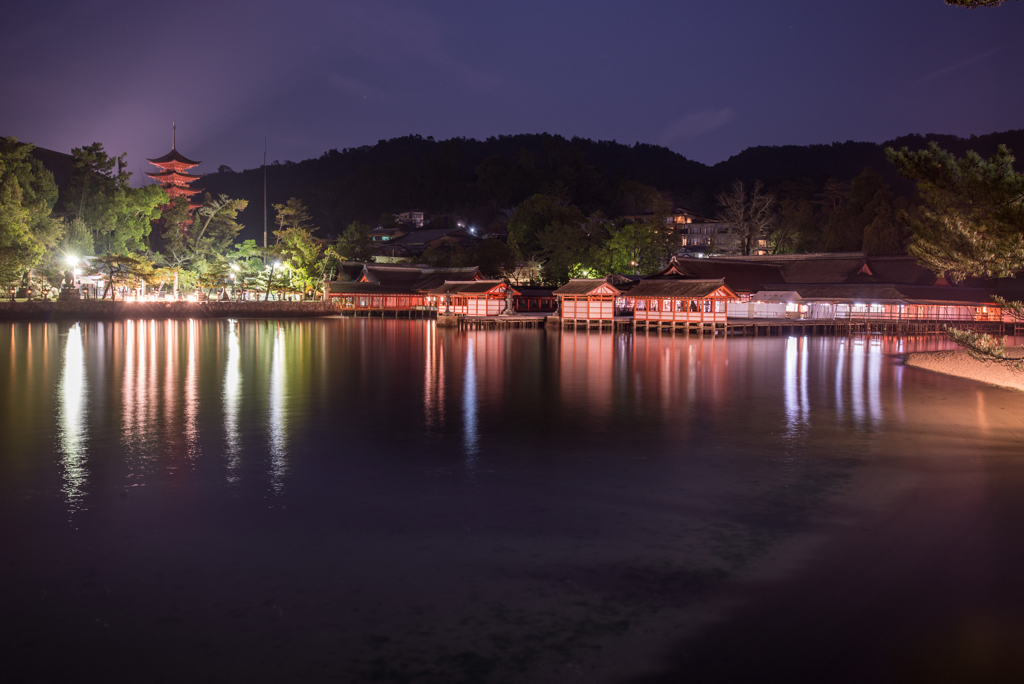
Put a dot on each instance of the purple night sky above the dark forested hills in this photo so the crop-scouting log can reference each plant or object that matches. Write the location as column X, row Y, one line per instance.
column 705, row 79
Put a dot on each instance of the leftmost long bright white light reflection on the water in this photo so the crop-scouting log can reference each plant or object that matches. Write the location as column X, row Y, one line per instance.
column 72, row 412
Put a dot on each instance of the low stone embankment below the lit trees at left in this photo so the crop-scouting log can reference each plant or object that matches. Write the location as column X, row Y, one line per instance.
column 121, row 311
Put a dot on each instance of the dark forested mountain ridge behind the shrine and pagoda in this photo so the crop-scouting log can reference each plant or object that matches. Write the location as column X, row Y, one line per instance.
column 481, row 181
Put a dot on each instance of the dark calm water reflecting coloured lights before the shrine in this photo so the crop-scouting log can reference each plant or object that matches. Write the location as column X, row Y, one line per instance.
column 380, row 501
